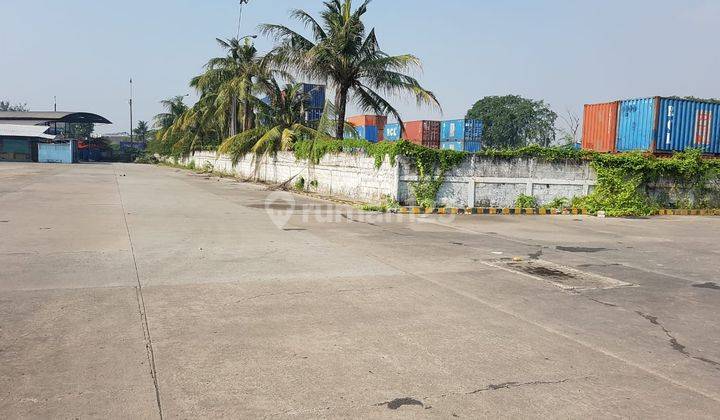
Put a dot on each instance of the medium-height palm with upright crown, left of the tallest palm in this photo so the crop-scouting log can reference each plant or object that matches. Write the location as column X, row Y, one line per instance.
column 233, row 78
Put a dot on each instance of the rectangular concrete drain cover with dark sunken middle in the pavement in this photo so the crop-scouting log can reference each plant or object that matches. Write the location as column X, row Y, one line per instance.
column 561, row 276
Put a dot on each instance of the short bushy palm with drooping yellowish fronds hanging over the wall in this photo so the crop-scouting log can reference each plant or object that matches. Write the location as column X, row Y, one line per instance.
column 281, row 124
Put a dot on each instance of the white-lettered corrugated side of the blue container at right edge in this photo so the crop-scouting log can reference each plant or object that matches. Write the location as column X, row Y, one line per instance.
column 684, row 124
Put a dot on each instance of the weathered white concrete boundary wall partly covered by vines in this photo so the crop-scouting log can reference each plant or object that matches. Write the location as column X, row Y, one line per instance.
column 480, row 182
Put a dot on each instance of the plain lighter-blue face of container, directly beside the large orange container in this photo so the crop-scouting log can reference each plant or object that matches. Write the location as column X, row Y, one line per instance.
column 636, row 125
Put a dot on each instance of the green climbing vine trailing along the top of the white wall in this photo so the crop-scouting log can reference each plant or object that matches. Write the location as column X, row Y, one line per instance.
column 623, row 180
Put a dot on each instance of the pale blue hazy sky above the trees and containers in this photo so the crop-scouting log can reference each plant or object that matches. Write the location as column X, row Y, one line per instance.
column 566, row 52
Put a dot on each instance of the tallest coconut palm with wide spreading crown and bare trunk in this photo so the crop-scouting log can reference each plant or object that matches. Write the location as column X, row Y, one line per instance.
column 342, row 52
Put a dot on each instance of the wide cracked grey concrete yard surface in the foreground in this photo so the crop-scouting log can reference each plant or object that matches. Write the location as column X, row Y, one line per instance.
column 159, row 286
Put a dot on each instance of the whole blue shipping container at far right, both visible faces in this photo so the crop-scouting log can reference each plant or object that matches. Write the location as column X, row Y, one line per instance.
column 668, row 125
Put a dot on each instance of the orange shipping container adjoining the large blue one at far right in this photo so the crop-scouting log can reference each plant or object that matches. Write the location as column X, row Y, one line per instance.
column 600, row 127
